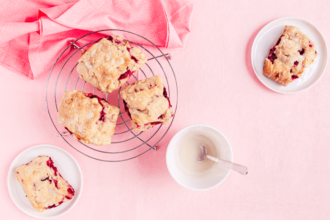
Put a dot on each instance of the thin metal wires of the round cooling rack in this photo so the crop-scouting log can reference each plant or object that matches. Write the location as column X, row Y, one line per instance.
column 135, row 136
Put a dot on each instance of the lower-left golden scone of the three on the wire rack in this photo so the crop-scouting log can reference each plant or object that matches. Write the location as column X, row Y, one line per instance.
column 87, row 117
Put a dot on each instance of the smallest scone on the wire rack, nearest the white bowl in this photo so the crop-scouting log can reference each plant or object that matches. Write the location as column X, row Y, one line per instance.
column 147, row 104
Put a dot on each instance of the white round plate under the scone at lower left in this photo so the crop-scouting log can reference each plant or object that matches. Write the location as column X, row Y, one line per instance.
column 68, row 168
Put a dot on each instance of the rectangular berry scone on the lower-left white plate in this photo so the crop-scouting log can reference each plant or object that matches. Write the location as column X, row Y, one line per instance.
column 43, row 185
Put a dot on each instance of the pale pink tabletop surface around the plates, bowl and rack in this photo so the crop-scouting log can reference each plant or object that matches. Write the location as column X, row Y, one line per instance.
column 283, row 139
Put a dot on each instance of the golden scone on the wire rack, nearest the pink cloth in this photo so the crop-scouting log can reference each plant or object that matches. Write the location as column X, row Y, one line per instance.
column 108, row 64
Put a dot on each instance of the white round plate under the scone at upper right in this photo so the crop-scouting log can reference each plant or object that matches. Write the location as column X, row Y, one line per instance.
column 266, row 39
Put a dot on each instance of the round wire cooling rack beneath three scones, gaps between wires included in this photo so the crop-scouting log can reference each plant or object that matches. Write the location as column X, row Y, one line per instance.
column 126, row 143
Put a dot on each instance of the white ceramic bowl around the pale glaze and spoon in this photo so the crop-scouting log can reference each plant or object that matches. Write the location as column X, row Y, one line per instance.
column 205, row 181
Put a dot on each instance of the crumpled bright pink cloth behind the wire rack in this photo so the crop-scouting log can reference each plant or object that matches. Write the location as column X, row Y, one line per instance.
column 33, row 33
